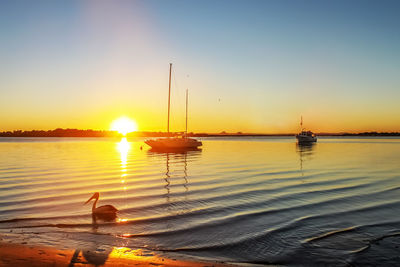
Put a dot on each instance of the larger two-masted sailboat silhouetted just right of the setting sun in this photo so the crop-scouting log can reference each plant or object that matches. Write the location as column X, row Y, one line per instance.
column 174, row 143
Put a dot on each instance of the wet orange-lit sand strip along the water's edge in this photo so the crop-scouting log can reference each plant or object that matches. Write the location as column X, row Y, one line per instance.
column 30, row 255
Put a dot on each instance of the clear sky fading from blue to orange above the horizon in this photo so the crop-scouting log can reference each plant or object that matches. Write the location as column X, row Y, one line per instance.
column 250, row 66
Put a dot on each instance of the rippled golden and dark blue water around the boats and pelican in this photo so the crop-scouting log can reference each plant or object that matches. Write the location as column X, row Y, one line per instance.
column 246, row 200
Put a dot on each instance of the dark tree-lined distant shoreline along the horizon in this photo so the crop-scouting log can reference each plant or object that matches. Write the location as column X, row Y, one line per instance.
column 94, row 133
